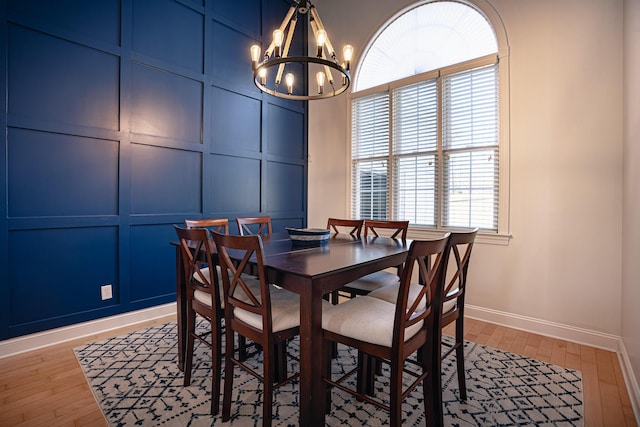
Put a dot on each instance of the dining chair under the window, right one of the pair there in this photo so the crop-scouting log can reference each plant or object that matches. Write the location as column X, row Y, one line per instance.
column 378, row 279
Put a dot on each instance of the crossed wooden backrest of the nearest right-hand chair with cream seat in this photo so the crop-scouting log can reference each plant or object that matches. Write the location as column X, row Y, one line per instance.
column 421, row 310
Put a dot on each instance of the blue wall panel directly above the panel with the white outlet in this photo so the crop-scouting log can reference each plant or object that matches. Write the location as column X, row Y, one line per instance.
column 61, row 175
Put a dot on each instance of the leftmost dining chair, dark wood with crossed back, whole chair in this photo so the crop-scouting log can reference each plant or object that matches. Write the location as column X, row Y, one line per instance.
column 203, row 298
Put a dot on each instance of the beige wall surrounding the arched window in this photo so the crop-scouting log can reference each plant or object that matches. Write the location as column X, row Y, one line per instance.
column 562, row 269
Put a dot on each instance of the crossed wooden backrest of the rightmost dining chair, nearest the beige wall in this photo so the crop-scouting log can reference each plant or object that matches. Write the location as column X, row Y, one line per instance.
column 460, row 246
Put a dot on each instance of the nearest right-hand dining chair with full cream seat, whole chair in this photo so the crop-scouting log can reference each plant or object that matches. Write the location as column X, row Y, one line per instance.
column 394, row 333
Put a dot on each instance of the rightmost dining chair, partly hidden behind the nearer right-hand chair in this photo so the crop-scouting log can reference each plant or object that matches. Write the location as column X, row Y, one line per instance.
column 453, row 295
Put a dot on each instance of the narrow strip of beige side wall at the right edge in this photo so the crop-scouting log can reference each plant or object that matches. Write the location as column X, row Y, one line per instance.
column 631, row 206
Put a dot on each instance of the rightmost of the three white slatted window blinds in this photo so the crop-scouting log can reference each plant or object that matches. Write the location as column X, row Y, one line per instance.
column 470, row 149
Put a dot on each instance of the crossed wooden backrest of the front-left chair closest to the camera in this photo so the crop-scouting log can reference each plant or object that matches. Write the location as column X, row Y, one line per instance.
column 236, row 254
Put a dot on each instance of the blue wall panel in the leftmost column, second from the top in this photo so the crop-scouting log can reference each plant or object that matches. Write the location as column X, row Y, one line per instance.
column 55, row 80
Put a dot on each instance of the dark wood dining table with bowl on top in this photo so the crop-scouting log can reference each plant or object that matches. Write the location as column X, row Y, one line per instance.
column 311, row 272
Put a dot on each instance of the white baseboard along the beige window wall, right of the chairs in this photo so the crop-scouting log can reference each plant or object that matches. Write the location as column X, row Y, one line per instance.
column 542, row 327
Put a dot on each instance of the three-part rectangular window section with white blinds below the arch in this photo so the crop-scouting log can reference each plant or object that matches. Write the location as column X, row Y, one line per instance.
column 439, row 167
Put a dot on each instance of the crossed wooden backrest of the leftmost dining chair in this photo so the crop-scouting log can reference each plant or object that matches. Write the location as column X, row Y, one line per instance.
column 198, row 263
